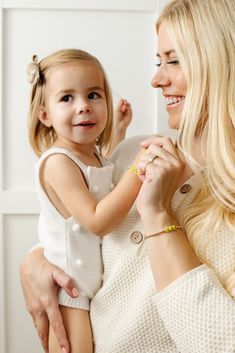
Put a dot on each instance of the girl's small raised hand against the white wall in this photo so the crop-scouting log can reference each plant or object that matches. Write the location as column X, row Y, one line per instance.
column 122, row 117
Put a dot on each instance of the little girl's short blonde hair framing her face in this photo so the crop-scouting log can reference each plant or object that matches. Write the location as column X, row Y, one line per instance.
column 42, row 137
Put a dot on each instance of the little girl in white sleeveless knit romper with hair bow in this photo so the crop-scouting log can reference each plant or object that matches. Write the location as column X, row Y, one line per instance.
column 70, row 121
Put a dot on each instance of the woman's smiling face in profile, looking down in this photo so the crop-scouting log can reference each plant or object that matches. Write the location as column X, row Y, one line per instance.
column 170, row 78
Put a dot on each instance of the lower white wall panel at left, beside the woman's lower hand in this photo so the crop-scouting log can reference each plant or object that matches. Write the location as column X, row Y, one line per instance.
column 19, row 236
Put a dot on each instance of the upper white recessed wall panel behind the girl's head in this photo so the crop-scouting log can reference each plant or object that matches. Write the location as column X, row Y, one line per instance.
column 124, row 43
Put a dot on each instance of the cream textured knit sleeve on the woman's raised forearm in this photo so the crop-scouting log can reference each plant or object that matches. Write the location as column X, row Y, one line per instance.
column 198, row 313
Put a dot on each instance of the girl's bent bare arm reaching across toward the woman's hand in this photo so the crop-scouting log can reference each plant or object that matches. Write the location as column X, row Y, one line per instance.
column 63, row 181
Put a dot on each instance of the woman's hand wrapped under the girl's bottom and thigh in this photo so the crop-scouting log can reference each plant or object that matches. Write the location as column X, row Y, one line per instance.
column 40, row 281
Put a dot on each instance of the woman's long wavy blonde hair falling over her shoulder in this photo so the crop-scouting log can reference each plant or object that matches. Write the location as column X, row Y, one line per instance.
column 204, row 37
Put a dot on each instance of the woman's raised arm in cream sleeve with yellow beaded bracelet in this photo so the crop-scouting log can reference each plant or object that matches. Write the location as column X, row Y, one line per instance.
column 195, row 308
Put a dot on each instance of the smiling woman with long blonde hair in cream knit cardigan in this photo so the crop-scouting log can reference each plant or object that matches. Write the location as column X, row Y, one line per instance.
column 185, row 302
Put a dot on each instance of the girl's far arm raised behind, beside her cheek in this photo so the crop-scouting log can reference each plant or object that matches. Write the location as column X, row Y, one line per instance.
column 122, row 117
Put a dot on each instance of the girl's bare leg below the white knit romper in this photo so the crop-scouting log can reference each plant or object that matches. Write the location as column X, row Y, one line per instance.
column 78, row 329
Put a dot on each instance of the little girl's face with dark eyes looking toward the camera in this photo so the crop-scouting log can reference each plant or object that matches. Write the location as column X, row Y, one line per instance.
column 75, row 103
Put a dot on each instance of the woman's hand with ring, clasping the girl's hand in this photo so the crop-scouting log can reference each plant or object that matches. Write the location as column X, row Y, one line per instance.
column 160, row 169
